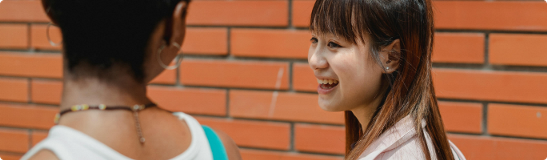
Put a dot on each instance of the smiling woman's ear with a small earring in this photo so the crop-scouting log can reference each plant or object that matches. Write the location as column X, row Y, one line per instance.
column 390, row 56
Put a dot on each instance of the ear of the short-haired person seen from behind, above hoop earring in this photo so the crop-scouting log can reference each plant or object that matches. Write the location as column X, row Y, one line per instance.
column 178, row 25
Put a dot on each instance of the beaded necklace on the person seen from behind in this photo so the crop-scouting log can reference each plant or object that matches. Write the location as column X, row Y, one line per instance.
column 135, row 109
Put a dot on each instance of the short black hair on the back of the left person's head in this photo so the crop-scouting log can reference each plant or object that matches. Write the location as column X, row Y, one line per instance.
column 101, row 34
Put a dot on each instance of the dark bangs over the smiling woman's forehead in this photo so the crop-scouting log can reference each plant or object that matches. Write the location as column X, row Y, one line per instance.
column 335, row 17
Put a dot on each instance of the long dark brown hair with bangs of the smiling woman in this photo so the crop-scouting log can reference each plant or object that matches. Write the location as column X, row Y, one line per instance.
column 410, row 90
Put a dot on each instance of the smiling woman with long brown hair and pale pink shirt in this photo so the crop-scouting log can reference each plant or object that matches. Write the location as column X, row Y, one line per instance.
column 372, row 59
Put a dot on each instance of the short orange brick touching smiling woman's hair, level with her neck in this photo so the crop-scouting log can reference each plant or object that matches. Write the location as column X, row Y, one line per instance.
column 461, row 117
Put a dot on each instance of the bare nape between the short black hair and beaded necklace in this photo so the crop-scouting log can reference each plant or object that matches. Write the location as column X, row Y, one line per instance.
column 124, row 91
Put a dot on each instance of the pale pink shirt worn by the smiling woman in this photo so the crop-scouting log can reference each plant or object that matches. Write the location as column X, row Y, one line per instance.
column 402, row 142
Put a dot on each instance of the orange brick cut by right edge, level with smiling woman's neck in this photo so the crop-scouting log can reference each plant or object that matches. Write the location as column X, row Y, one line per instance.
column 517, row 120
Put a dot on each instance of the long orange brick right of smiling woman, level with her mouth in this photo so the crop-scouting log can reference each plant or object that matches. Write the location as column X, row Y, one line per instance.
column 490, row 85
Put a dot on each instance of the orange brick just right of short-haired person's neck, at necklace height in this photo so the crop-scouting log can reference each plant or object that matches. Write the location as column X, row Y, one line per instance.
column 196, row 101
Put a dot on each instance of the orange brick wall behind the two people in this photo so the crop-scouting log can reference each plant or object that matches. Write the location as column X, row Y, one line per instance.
column 245, row 72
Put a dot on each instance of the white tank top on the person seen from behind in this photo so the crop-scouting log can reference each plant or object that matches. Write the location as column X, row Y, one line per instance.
column 67, row 144
